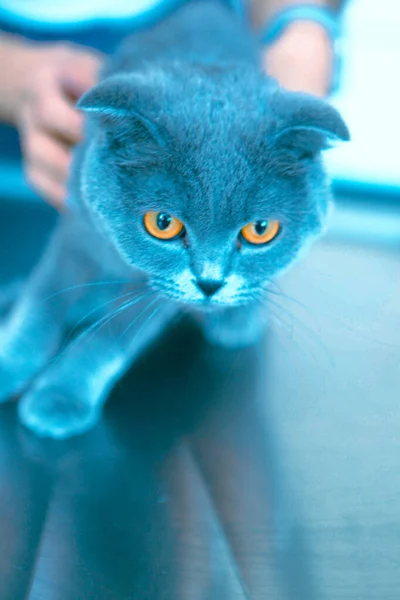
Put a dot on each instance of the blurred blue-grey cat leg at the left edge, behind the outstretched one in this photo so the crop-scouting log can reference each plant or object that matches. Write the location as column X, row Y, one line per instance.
column 31, row 333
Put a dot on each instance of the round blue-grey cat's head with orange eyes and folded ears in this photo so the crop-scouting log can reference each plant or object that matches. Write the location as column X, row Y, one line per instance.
column 209, row 180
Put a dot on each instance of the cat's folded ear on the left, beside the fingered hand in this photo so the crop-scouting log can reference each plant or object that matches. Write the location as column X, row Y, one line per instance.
column 120, row 103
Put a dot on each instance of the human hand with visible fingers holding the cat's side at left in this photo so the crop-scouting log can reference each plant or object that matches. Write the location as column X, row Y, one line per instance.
column 49, row 125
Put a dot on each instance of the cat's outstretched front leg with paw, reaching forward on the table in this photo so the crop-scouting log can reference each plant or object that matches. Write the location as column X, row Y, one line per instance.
column 67, row 398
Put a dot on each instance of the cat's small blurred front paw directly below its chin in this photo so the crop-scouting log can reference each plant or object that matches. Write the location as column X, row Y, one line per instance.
column 235, row 327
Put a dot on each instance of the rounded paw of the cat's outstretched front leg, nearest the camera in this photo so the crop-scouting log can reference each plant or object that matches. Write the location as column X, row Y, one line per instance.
column 53, row 413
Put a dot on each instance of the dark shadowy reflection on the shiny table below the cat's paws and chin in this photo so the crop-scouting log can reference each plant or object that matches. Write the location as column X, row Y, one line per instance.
column 177, row 494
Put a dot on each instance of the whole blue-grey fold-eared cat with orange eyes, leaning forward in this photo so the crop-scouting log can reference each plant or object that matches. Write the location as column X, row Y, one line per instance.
column 198, row 181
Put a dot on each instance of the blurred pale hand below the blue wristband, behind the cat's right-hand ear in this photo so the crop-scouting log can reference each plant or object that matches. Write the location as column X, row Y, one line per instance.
column 302, row 58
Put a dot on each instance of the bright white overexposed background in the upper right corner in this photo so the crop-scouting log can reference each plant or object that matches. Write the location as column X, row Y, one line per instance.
column 369, row 96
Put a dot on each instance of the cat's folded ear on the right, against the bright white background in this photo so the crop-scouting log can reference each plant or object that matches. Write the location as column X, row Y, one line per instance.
column 306, row 123
